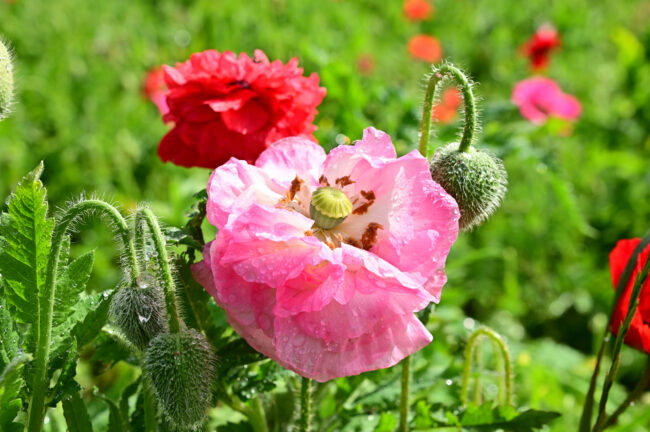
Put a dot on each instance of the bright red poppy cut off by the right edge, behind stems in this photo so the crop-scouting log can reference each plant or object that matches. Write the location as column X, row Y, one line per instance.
column 638, row 336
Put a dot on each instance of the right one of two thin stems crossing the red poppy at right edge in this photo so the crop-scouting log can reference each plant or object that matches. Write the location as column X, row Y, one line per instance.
column 618, row 344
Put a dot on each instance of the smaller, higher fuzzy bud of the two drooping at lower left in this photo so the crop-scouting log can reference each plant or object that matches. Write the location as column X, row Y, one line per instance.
column 139, row 311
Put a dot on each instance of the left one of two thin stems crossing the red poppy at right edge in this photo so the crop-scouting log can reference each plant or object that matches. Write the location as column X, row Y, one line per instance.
column 585, row 419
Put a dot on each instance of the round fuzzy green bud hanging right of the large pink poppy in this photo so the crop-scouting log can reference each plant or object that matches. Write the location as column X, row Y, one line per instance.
column 476, row 179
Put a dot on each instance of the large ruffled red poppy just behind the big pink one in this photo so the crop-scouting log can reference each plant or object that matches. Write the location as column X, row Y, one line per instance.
column 225, row 106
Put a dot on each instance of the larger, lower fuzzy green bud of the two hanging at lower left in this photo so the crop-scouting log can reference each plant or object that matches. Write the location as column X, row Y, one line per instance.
column 181, row 367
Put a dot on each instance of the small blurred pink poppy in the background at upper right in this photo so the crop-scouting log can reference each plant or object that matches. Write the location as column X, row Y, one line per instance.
column 539, row 98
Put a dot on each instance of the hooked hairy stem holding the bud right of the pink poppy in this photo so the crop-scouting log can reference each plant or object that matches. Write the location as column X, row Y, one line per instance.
column 469, row 128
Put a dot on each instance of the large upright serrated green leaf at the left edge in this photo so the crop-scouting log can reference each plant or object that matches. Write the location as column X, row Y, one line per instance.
column 25, row 239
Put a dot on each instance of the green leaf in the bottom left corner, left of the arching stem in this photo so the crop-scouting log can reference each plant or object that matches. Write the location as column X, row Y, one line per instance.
column 10, row 384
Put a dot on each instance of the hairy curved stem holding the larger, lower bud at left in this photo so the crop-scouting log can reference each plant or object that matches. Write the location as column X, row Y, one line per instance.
column 146, row 216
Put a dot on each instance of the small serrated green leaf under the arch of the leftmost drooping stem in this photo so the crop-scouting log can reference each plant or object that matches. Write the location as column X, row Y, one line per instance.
column 71, row 282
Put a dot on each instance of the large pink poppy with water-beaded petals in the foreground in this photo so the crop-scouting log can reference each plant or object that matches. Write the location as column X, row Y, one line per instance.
column 335, row 302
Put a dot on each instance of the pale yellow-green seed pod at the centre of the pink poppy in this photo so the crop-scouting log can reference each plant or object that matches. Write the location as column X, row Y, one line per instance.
column 329, row 207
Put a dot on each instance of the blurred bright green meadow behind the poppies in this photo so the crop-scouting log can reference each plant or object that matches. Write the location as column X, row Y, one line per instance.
column 537, row 272
